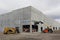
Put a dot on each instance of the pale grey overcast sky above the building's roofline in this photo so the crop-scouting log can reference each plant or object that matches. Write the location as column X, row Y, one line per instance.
column 50, row 8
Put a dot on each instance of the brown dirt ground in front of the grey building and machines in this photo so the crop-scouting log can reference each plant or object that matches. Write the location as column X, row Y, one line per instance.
column 30, row 36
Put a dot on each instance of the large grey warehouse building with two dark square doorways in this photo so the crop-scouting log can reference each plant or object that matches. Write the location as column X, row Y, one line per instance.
column 26, row 18
